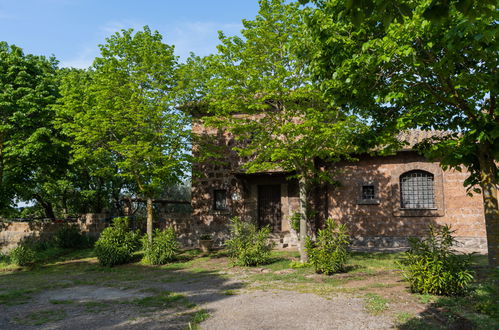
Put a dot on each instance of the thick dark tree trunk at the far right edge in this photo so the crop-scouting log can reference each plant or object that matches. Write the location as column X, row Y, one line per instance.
column 488, row 184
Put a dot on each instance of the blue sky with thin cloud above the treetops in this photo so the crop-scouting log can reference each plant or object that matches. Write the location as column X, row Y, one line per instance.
column 72, row 29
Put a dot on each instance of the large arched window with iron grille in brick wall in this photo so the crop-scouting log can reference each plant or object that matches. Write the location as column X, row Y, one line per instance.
column 417, row 190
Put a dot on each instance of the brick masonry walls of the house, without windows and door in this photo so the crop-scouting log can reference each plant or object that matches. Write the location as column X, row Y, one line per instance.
column 380, row 224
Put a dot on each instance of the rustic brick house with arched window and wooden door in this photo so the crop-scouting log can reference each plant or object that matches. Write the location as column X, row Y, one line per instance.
column 384, row 200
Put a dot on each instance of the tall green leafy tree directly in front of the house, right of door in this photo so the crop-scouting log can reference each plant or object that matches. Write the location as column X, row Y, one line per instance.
column 261, row 92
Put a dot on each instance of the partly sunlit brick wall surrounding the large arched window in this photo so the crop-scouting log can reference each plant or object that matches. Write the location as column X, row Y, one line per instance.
column 384, row 223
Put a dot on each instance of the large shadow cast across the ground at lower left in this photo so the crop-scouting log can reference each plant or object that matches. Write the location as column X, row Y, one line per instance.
column 84, row 294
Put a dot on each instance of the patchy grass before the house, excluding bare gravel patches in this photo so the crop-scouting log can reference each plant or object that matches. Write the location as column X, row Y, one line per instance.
column 373, row 276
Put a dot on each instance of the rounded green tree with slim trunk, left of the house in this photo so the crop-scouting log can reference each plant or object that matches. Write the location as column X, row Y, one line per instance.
column 126, row 121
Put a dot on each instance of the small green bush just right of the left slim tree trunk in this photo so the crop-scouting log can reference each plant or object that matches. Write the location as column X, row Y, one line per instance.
column 162, row 249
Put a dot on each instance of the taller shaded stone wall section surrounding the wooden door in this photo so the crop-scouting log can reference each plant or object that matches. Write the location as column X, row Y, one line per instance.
column 223, row 171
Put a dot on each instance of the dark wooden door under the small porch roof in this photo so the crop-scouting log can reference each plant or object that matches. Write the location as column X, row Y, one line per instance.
column 269, row 207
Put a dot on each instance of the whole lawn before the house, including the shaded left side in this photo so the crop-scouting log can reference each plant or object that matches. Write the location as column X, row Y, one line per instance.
column 70, row 286
